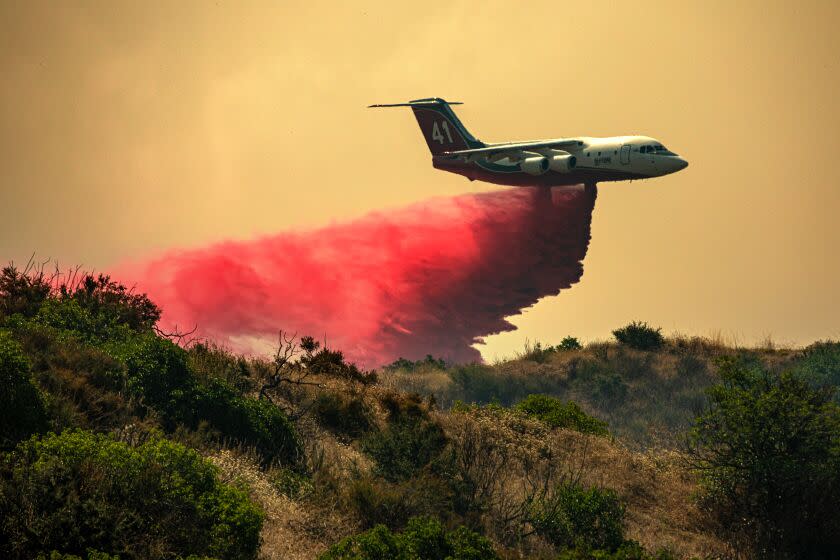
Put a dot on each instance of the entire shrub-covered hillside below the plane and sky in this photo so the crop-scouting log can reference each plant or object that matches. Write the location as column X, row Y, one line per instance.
column 119, row 440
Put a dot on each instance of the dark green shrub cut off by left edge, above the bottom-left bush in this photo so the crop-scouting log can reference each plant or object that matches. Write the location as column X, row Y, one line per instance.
column 22, row 404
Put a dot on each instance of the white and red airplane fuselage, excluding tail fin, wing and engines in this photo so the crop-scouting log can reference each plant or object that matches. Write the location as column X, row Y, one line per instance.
column 596, row 160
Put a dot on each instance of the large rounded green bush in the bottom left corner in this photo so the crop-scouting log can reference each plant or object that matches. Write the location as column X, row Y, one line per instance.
column 78, row 491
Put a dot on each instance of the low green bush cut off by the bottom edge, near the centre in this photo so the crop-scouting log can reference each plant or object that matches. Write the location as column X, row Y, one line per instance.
column 423, row 539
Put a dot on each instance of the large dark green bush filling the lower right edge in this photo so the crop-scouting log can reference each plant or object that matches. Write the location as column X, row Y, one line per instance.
column 768, row 450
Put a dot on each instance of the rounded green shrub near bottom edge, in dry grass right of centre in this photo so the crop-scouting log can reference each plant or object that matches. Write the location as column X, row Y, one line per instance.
column 577, row 516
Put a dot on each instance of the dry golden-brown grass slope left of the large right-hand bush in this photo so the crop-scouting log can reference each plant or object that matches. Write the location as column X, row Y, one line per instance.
column 657, row 487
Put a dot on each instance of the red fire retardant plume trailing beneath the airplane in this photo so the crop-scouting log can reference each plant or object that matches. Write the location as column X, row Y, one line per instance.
column 431, row 278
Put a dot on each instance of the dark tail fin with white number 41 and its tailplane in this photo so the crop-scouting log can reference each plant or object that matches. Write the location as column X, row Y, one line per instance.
column 441, row 128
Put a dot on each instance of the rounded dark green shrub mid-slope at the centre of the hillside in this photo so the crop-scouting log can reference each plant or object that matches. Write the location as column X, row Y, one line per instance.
column 404, row 448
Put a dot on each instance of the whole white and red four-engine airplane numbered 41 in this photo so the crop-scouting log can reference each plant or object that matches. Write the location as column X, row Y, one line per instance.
column 543, row 163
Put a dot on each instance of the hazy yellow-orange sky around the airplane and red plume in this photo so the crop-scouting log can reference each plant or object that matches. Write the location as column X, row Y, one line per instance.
column 131, row 127
